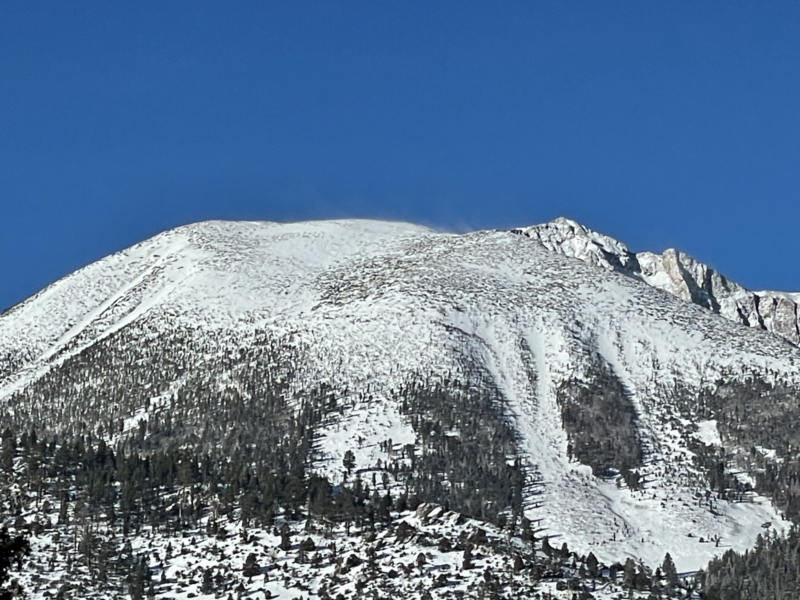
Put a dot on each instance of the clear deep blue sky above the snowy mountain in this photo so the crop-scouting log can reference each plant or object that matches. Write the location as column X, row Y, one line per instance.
column 659, row 123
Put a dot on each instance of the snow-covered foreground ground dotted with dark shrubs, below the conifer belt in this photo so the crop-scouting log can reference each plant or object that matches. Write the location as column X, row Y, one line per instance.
column 420, row 555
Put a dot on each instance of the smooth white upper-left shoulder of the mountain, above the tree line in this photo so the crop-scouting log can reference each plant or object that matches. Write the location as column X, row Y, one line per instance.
column 220, row 272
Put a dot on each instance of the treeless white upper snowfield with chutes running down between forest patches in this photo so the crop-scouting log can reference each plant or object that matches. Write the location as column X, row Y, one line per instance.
column 373, row 303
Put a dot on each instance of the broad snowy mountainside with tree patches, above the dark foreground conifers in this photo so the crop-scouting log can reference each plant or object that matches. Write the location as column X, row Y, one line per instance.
column 294, row 344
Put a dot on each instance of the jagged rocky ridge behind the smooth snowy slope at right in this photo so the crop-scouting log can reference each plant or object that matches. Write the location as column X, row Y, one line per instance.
column 676, row 273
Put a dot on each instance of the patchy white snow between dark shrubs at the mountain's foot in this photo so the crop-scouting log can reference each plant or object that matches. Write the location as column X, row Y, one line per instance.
column 178, row 561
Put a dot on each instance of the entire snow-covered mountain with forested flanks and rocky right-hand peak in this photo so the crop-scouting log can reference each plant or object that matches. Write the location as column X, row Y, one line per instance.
column 535, row 380
